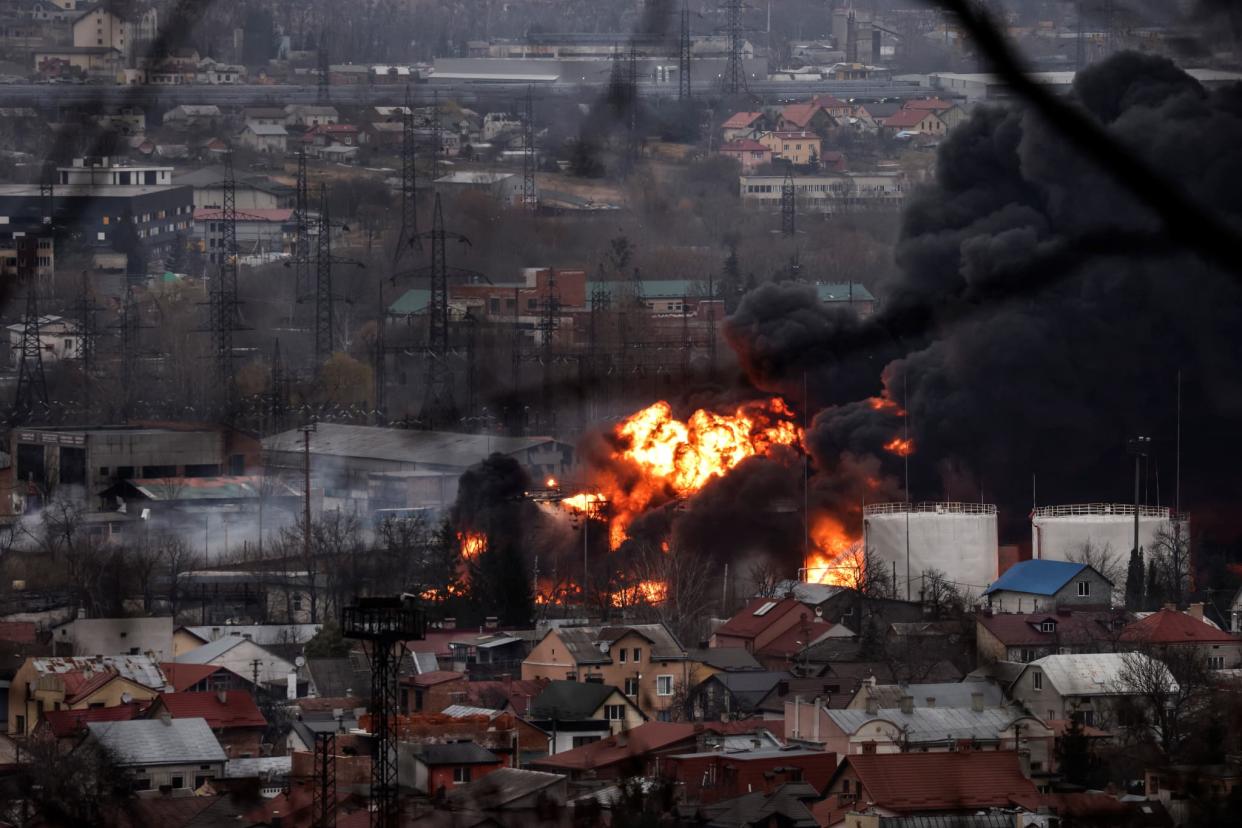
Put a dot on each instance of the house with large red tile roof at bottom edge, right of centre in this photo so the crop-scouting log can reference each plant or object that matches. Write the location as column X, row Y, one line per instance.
column 926, row 785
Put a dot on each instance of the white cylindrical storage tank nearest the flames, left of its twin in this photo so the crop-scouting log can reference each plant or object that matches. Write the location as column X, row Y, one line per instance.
column 957, row 539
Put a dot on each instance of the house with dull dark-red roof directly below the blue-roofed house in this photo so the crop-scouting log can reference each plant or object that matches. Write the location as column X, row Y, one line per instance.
column 1025, row 637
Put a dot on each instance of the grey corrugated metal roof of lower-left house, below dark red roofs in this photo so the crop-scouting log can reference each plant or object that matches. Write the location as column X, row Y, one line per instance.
column 157, row 742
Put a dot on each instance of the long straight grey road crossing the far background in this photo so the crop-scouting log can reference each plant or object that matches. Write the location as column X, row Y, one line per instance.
column 60, row 96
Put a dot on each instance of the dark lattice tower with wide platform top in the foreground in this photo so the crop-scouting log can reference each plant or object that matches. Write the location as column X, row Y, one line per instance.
column 383, row 624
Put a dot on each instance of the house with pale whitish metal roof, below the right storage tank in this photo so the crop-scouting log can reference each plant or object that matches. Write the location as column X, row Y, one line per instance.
column 1086, row 687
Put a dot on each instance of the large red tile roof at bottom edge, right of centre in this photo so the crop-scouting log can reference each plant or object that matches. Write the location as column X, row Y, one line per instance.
column 954, row 781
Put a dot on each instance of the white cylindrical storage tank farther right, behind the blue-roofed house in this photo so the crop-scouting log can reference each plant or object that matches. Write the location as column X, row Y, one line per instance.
column 1061, row 533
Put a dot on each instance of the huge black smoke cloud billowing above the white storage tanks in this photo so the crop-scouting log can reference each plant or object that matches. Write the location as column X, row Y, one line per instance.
column 1040, row 316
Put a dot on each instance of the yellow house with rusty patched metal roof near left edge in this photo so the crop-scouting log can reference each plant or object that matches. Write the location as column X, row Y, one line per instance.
column 80, row 683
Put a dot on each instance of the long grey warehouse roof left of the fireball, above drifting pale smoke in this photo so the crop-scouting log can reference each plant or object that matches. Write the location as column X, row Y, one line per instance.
column 442, row 449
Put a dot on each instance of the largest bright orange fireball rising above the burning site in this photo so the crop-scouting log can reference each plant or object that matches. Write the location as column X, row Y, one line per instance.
column 669, row 459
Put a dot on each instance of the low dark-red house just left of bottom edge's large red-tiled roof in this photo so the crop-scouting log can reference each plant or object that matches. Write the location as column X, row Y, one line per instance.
column 715, row 775
